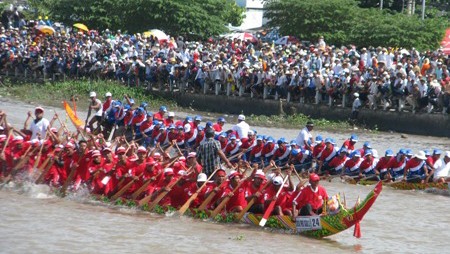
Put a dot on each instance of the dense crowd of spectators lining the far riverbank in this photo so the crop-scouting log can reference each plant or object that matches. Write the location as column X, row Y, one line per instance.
column 384, row 78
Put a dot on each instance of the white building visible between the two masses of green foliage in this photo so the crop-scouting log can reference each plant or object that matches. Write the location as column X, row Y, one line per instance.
column 254, row 10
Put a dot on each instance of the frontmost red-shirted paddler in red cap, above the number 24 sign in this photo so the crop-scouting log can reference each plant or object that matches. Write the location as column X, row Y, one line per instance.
column 310, row 200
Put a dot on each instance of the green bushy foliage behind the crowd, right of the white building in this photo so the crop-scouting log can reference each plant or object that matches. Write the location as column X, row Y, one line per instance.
column 342, row 22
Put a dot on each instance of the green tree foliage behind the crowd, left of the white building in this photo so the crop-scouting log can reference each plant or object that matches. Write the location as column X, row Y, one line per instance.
column 203, row 18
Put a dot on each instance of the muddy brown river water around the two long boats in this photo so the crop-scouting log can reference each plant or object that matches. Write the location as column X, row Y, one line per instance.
column 32, row 220
